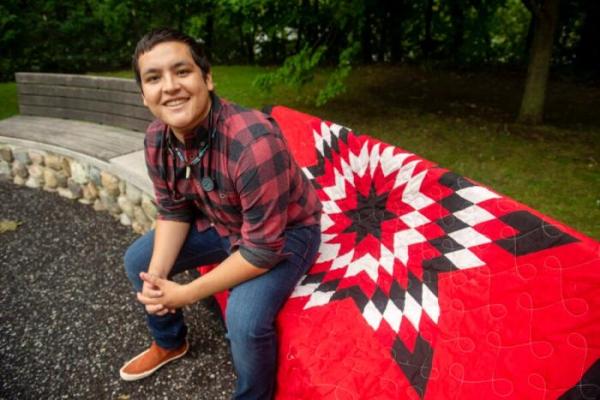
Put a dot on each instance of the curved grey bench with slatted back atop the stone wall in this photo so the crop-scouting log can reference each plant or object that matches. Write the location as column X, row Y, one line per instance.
column 97, row 120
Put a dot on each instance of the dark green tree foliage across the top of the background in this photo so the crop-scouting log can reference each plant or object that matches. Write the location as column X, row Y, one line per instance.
column 79, row 35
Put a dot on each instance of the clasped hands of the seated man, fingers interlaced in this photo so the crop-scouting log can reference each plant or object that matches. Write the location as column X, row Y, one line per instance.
column 162, row 296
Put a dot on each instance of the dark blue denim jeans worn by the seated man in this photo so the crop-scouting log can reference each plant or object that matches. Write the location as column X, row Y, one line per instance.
column 252, row 306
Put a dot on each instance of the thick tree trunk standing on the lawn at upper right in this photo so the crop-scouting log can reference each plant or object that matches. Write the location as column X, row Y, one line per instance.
column 534, row 96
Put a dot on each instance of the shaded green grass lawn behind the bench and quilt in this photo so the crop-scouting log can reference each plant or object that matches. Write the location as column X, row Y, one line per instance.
column 463, row 122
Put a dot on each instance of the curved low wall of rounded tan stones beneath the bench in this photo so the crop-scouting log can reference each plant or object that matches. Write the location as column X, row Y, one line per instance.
column 80, row 182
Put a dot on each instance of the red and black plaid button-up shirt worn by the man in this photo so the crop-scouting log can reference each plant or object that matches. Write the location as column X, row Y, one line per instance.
column 259, row 189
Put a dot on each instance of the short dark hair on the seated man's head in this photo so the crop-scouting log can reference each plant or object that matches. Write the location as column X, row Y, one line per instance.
column 162, row 35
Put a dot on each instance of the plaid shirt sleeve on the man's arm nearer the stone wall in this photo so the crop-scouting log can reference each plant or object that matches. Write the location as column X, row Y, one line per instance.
column 168, row 207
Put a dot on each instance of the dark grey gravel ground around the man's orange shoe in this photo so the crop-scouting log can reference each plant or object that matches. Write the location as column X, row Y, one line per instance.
column 68, row 318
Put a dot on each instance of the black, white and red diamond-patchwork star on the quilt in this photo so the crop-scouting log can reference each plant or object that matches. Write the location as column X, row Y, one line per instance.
column 385, row 239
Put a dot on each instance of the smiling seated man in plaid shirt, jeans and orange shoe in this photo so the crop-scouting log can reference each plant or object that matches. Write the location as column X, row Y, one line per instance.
column 228, row 192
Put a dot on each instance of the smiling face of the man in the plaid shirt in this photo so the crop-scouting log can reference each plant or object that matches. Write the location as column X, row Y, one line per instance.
column 174, row 88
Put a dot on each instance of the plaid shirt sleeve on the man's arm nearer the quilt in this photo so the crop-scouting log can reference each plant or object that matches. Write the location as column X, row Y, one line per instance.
column 263, row 180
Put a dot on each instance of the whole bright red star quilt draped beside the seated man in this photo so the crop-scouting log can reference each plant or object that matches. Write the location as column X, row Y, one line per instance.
column 431, row 286
